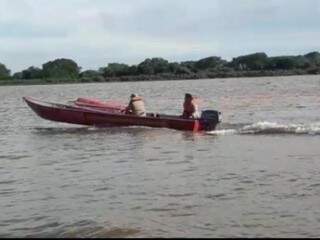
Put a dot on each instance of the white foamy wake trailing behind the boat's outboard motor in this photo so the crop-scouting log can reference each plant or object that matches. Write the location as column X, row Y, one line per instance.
column 270, row 128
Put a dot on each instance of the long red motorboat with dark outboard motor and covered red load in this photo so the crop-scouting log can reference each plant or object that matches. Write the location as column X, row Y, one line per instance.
column 103, row 114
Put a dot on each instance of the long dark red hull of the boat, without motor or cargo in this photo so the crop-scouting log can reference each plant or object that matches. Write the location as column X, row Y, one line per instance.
column 88, row 116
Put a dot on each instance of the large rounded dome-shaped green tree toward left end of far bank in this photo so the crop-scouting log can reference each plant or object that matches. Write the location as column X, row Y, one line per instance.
column 61, row 68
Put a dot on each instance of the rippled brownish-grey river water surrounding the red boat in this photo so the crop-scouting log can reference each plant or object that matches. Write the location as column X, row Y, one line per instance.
column 257, row 175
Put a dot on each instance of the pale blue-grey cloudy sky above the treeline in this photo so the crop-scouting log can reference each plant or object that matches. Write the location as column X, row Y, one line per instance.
column 97, row 32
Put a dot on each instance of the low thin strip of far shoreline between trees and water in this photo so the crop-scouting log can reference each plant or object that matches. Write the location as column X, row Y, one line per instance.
column 161, row 77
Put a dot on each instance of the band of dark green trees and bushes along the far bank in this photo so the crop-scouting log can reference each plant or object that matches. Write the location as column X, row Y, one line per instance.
column 256, row 64
